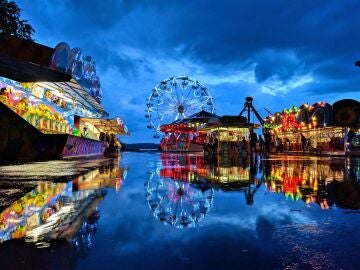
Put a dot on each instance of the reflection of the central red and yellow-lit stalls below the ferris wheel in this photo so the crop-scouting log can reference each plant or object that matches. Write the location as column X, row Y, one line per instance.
column 225, row 174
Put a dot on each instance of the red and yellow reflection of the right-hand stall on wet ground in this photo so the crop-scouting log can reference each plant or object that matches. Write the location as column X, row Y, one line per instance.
column 315, row 181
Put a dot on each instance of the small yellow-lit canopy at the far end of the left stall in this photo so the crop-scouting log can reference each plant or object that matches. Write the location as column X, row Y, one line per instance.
column 115, row 125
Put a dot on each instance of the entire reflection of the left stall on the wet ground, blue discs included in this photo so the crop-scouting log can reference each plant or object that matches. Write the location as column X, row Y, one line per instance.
column 61, row 210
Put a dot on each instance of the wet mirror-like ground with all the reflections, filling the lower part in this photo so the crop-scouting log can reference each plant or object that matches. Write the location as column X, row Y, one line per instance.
column 171, row 211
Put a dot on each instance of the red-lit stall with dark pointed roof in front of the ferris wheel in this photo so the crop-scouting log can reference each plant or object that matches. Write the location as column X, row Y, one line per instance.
column 184, row 134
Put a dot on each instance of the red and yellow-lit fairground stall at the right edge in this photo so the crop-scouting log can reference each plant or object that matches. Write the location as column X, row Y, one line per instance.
column 320, row 128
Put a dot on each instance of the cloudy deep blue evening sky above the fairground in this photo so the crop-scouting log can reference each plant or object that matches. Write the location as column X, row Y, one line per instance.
column 283, row 53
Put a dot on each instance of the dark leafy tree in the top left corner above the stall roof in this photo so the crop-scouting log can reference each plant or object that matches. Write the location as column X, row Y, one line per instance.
column 10, row 22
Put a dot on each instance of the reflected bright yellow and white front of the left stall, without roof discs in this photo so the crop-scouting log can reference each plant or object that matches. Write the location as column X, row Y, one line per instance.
column 40, row 211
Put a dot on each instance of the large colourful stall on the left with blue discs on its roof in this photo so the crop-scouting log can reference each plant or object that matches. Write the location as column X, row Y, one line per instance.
column 45, row 92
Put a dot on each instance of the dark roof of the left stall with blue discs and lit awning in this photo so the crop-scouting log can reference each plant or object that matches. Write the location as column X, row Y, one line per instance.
column 62, row 69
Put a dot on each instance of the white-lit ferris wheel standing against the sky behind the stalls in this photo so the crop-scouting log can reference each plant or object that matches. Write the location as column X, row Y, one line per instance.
column 176, row 98
